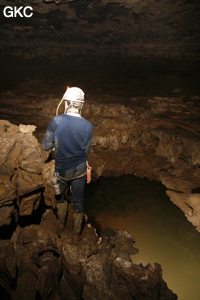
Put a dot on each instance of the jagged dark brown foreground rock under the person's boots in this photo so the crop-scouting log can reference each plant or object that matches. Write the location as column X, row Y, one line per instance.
column 40, row 262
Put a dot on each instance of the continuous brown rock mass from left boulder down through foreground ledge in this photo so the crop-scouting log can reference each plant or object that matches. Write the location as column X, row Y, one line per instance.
column 39, row 261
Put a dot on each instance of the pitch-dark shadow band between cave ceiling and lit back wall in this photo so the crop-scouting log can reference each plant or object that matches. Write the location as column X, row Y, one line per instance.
column 103, row 78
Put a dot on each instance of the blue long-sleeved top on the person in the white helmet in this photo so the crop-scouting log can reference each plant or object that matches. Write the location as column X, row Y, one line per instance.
column 71, row 137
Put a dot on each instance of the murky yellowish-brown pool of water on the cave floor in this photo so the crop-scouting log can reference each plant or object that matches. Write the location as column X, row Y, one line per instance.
column 162, row 232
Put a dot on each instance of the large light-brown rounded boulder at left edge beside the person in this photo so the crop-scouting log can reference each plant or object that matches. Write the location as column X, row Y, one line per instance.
column 21, row 172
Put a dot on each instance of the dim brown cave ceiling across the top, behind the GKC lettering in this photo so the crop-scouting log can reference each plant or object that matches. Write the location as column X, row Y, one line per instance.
column 127, row 28
